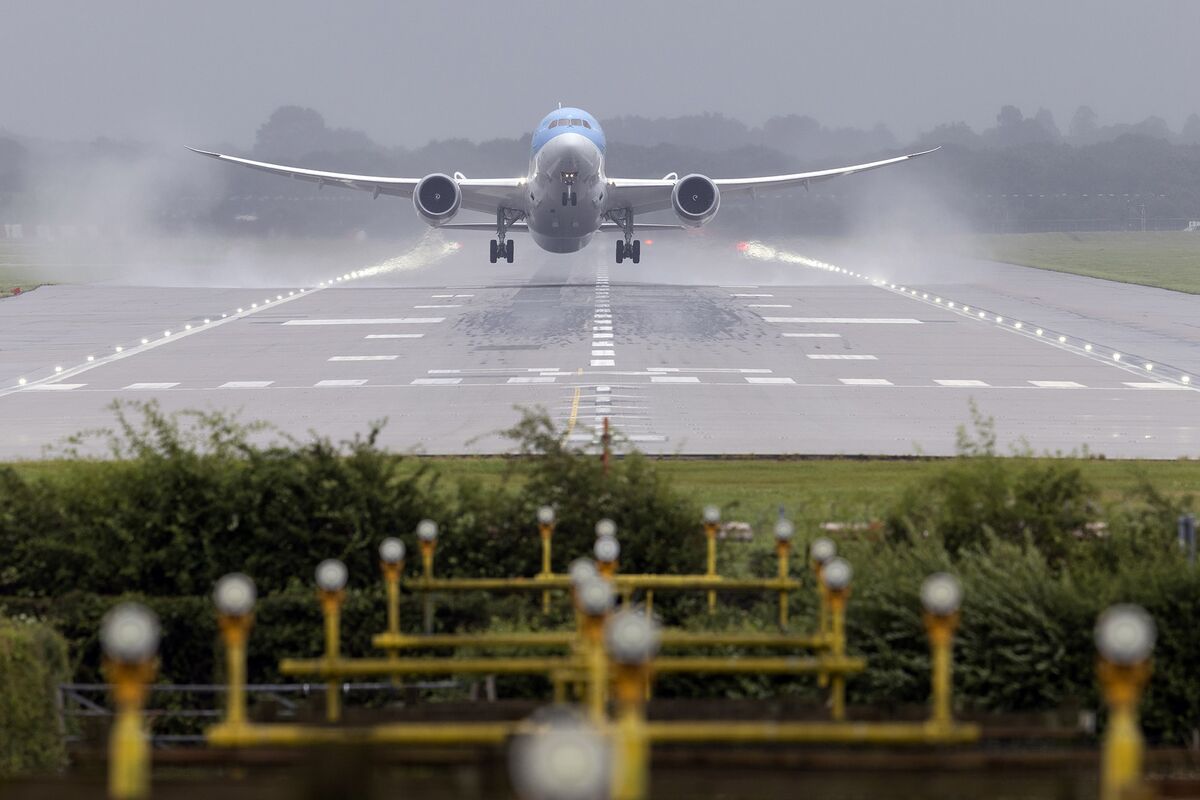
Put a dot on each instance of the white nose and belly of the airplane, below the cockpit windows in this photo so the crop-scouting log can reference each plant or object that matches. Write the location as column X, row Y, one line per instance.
column 569, row 165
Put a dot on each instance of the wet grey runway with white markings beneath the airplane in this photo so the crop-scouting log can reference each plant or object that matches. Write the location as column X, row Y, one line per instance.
column 701, row 350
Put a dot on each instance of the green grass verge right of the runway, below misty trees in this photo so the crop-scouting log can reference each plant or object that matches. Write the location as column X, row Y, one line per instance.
column 1165, row 260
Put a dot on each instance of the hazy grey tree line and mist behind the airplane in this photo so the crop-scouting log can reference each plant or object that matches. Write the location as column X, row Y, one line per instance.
column 1023, row 173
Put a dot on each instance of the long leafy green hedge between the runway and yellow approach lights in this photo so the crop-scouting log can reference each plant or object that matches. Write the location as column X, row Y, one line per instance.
column 191, row 498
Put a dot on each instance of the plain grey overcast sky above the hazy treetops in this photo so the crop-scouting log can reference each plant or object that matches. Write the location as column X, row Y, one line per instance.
column 406, row 73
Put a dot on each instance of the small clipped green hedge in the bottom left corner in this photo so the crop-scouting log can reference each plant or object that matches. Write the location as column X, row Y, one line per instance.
column 33, row 664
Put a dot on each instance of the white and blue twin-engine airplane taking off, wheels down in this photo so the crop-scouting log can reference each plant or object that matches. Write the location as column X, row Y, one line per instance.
column 567, row 197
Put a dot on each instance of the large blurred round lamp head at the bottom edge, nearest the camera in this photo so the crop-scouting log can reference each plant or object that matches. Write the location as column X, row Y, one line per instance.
column 566, row 760
